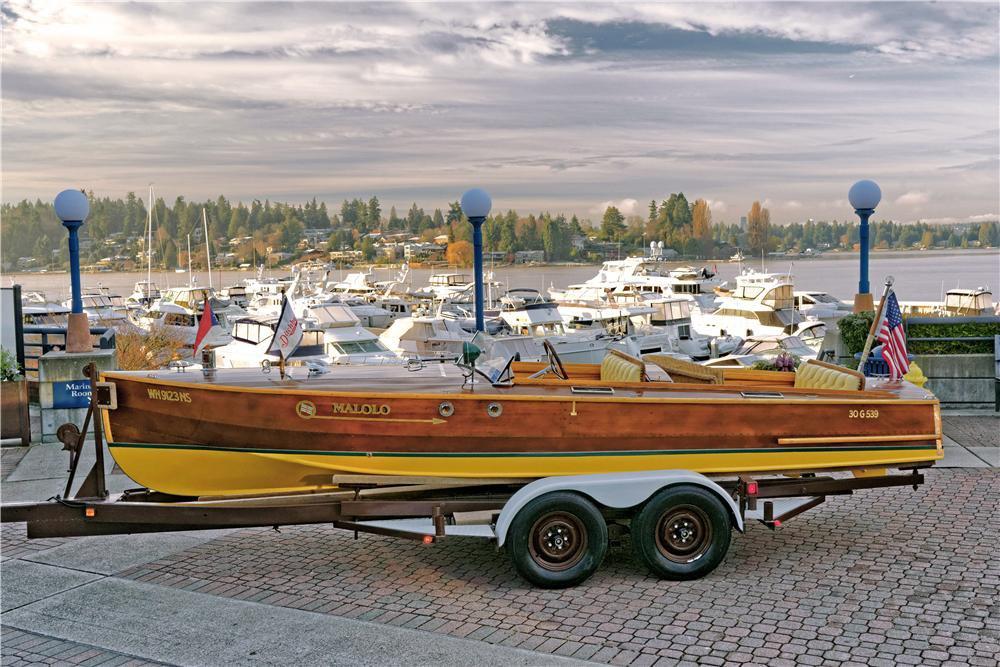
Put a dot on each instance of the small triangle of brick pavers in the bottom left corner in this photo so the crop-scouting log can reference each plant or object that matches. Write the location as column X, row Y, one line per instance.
column 21, row 648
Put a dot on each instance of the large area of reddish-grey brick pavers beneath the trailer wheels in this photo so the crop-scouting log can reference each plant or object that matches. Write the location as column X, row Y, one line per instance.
column 884, row 577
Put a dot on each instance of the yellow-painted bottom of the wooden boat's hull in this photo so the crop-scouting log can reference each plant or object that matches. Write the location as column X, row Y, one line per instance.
column 192, row 471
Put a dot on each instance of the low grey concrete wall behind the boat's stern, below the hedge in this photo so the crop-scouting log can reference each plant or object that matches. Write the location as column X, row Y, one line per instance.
column 960, row 380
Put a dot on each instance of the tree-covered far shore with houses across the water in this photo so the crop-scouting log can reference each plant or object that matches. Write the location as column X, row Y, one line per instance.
column 117, row 227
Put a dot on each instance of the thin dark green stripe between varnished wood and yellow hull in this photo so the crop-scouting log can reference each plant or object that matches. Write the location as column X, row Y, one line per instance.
column 659, row 452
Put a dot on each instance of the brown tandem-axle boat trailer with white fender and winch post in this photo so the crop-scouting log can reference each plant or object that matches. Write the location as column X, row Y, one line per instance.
column 556, row 529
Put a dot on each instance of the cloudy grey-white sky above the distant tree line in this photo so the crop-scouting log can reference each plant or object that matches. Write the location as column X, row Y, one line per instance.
column 551, row 106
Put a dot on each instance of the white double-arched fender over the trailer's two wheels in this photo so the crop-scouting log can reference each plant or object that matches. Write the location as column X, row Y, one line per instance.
column 617, row 490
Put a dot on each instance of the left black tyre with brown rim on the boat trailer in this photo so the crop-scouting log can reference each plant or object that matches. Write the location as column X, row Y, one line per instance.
column 557, row 540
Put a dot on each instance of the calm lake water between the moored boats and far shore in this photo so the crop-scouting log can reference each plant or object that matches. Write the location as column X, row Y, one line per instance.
column 920, row 276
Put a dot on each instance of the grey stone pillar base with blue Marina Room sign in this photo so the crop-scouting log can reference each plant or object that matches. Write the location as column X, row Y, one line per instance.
column 63, row 389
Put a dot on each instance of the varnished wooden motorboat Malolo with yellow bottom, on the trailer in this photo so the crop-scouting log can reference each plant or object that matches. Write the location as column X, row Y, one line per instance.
column 242, row 431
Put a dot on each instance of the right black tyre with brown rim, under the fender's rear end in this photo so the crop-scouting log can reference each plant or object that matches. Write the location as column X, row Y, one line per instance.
column 682, row 533
